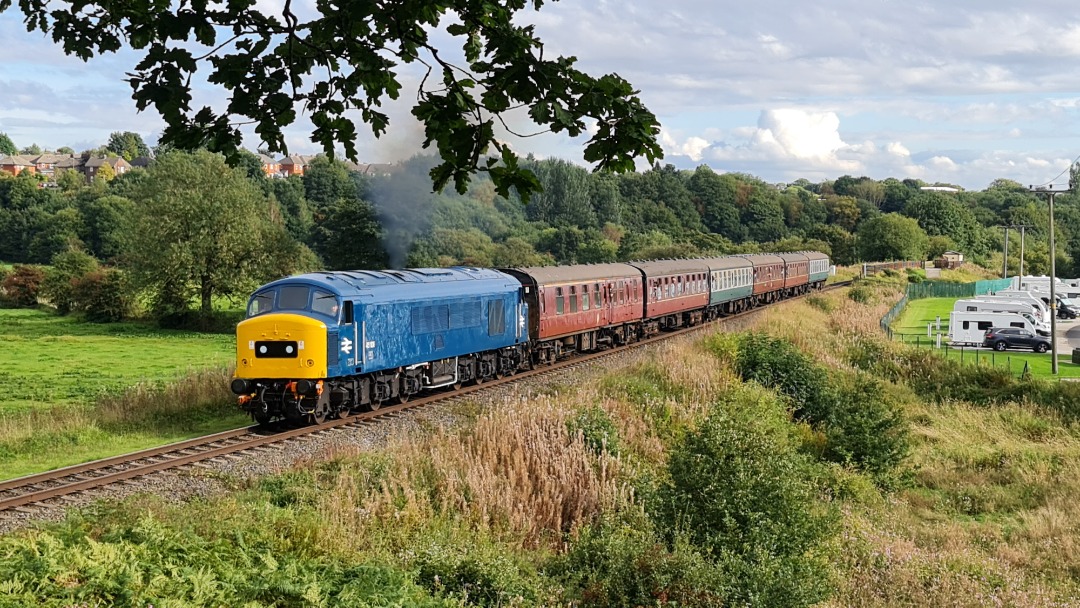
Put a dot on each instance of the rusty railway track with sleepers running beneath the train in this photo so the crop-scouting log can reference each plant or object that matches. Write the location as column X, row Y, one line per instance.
column 49, row 490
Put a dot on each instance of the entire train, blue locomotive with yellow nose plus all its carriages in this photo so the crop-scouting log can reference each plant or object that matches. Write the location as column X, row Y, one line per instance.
column 321, row 345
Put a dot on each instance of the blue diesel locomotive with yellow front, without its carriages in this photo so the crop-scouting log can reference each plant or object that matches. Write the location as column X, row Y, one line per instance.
column 323, row 344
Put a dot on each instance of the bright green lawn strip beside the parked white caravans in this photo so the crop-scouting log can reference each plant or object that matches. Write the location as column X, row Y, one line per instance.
column 919, row 314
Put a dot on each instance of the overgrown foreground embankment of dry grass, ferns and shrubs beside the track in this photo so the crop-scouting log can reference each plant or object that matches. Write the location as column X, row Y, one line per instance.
column 669, row 481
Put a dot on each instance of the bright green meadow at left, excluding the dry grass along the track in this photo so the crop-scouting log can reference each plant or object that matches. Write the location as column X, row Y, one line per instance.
column 53, row 361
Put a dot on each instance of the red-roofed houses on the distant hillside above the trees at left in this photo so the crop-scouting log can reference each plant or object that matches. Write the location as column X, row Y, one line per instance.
column 89, row 166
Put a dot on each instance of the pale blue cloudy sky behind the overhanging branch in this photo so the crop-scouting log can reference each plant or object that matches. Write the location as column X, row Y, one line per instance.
column 955, row 92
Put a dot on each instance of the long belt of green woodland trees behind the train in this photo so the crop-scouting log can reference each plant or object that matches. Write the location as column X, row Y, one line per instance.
column 174, row 240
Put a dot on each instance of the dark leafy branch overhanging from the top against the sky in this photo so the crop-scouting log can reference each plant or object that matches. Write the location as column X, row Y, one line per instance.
column 346, row 60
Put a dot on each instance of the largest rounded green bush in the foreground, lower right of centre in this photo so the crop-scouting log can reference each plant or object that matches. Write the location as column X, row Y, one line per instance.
column 739, row 491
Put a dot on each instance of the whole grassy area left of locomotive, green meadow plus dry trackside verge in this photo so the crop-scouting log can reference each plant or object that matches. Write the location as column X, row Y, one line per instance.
column 73, row 391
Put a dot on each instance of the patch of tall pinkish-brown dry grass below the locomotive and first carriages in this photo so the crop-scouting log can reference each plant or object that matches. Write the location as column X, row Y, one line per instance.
column 519, row 471
